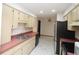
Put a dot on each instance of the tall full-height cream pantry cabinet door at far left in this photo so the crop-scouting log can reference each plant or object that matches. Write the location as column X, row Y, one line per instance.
column 7, row 17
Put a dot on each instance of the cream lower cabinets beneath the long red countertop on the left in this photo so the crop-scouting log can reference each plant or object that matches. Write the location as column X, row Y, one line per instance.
column 24, row 48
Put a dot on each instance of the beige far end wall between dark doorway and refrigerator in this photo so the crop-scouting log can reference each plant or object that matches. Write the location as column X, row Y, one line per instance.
column 47, row 28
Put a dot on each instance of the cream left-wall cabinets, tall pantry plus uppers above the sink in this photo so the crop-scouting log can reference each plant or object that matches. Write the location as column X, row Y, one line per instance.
column 11, row 18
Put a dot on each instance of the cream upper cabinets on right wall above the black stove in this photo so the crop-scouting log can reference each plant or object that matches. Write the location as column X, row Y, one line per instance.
column 73, row 18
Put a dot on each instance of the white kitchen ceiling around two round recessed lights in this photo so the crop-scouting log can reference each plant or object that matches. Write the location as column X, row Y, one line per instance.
column 35, row 8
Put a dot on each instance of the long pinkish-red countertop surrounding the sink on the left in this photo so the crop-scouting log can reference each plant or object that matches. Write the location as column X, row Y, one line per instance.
column 14, row 42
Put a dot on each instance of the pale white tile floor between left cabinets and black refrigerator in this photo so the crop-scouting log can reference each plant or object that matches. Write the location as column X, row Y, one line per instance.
column 45, row 46
